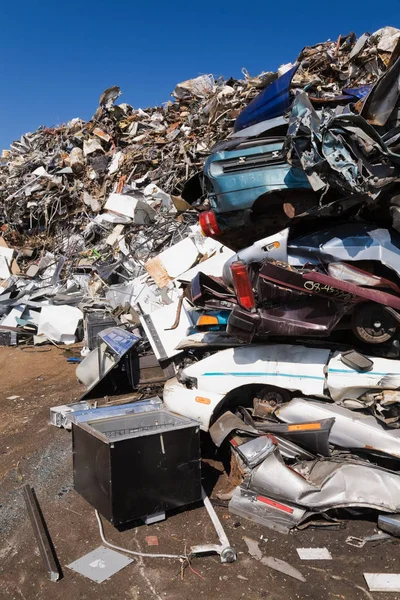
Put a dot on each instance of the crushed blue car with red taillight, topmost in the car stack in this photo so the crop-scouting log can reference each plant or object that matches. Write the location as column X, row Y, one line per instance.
column 251, row 187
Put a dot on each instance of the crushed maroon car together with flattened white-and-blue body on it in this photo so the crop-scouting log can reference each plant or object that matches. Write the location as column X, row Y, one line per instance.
column 345, row 278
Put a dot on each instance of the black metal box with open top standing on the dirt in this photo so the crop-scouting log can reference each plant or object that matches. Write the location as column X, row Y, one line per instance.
column 137, row 466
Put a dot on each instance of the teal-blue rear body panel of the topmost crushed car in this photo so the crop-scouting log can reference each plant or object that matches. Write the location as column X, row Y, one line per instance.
column 237, row 178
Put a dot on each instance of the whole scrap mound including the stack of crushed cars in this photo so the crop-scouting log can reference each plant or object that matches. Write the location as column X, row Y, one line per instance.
column 286, row 346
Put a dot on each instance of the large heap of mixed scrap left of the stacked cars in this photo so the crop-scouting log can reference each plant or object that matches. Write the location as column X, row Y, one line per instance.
column 85, row 206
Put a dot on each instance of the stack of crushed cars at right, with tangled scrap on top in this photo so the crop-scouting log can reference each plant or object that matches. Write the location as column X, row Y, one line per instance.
column 312, row 425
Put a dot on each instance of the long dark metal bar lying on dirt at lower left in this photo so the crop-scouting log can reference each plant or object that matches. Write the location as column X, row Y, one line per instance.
column 42, row 537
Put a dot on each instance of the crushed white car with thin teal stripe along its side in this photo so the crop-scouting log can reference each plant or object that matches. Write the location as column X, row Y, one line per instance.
column 276, row 373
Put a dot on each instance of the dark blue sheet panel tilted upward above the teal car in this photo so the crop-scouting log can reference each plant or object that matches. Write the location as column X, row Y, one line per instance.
column 272, row 102
